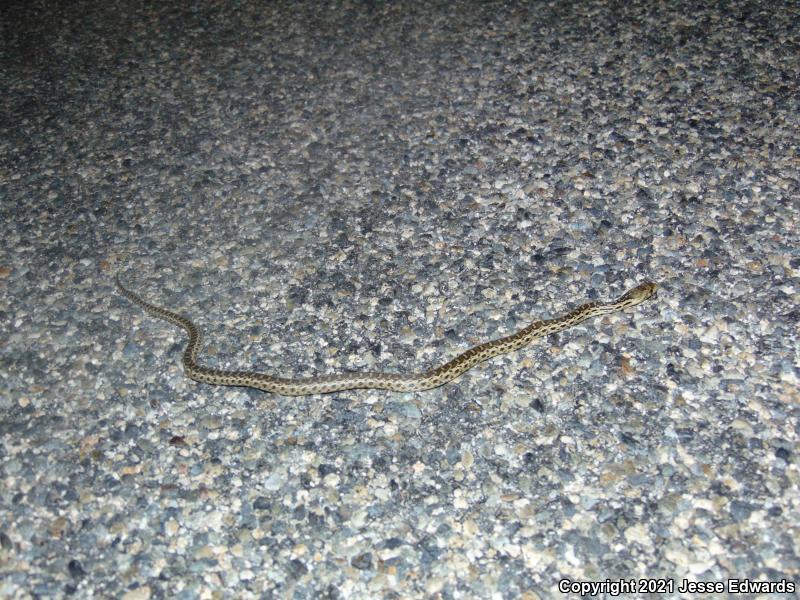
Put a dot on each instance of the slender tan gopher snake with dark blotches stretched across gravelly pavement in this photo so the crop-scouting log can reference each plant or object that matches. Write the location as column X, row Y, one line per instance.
column 396, row 382
